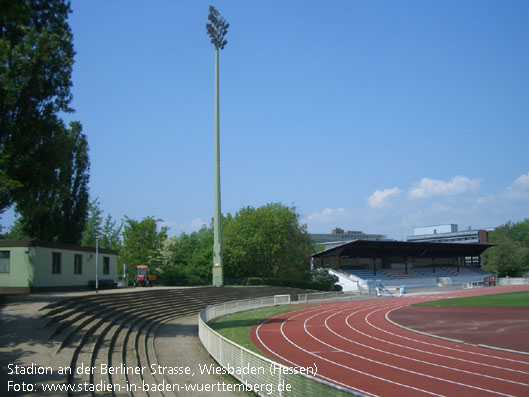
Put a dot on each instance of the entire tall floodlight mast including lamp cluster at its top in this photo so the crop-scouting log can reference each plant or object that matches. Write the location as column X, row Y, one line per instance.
column 217, row 29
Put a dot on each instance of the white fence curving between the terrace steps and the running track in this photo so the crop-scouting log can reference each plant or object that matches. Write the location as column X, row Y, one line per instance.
column 256, row 373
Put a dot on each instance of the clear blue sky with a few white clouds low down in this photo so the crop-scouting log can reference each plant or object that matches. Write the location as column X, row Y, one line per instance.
column 378, row 116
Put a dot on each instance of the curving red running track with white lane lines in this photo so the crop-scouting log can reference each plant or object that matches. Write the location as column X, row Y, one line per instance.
column 353, row 345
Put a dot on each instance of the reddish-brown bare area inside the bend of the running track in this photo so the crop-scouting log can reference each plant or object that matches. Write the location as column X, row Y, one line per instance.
column 504, row 327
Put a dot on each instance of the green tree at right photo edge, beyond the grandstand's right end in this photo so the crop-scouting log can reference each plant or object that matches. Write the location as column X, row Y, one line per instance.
column 510, row 257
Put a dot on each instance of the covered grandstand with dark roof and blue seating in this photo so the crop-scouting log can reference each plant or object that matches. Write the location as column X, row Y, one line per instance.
column 404, row 263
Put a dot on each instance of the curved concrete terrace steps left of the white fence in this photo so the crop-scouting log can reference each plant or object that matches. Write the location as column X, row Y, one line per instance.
column 120, row 328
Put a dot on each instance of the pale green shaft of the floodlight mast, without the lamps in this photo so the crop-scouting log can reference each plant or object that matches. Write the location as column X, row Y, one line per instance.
column 218, row 279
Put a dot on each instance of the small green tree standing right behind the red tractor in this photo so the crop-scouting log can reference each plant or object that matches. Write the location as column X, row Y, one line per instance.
column 141, row 240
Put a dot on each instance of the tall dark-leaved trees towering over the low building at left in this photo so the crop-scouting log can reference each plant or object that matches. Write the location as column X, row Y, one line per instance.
column 36, row 59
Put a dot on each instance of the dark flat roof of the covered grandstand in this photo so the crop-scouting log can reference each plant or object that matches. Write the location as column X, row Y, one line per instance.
column 378, row 249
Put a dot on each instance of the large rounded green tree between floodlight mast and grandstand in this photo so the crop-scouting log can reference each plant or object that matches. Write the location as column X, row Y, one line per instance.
column 267, row 242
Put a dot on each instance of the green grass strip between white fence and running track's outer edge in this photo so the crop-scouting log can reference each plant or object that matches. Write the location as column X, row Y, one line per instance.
column 236, row 327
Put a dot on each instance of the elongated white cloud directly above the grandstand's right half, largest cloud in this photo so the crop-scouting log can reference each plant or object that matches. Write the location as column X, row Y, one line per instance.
column 433, row 187
